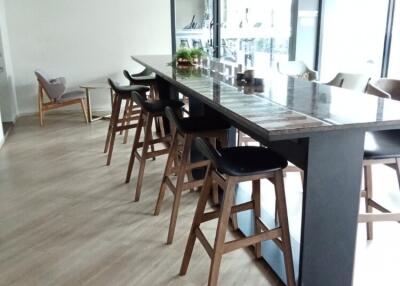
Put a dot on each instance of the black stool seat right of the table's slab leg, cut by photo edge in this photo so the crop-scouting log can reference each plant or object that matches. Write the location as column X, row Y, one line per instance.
column 382, row 145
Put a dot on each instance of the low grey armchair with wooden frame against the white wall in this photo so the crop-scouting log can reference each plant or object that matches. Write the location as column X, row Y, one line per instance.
column 55, row 89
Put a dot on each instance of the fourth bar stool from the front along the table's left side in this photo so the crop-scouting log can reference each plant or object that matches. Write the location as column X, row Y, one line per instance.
column 115, row 125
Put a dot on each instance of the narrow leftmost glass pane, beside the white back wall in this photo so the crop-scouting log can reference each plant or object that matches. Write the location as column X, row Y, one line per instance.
column 194, row 24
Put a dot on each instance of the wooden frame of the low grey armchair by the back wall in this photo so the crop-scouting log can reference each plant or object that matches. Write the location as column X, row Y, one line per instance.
column 46, row 106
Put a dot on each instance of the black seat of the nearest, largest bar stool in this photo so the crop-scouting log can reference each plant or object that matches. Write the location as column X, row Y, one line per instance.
column 243, row 160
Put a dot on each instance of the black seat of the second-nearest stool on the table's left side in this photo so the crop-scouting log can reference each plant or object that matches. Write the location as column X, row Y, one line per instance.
column 196, row 124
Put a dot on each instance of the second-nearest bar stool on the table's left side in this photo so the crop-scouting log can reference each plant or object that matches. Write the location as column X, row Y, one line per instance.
column 186, row 129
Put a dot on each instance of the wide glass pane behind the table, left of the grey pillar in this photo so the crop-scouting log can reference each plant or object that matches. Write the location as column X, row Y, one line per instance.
column 255, row 33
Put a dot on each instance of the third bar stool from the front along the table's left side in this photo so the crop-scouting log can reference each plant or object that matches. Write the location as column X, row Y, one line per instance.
column 149, row 111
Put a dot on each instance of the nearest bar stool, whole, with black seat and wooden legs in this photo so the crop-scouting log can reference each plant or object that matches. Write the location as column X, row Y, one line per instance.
column 228, row 167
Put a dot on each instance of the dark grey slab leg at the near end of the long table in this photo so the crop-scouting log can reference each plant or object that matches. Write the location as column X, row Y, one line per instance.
column 330, row 208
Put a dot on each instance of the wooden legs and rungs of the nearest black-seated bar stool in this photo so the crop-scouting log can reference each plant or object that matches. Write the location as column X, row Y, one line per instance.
column 280, row 235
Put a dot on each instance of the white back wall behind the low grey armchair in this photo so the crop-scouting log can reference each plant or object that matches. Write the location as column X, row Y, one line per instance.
column 83, row 40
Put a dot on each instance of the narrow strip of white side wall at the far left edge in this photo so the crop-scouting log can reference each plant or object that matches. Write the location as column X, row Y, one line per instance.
column 8, row 103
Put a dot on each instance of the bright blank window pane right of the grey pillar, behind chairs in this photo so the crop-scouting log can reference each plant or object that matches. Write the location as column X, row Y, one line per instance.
column 353, row 35
